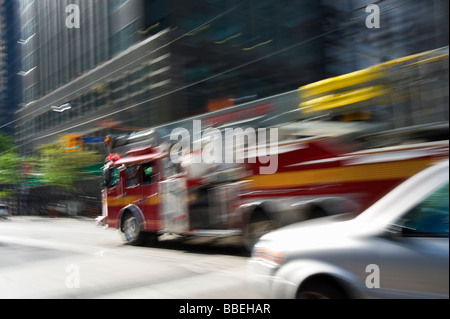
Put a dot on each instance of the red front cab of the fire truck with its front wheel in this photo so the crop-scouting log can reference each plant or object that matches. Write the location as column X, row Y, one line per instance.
column 145, row 193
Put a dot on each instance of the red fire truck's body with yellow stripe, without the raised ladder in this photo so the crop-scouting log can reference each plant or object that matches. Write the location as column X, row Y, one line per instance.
column 146, row 194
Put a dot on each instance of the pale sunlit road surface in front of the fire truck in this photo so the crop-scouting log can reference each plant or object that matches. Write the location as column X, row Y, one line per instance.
column 42, row 258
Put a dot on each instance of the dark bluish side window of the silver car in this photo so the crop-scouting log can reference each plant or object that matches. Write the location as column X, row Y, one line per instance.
column 430, row 218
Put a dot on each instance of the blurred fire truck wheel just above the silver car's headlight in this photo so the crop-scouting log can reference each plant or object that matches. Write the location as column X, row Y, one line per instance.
column 258, row 225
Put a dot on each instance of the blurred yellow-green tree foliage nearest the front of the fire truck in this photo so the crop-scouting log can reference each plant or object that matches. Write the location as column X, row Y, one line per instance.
column 60, row 168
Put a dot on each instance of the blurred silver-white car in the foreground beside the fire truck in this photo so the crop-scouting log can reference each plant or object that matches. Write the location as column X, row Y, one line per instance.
column 398, row 248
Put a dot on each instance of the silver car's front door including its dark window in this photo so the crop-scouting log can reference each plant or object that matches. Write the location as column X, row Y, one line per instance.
column 415, row 264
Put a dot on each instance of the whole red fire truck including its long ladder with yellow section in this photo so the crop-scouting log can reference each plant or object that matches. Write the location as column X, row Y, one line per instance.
column 324, row 167
